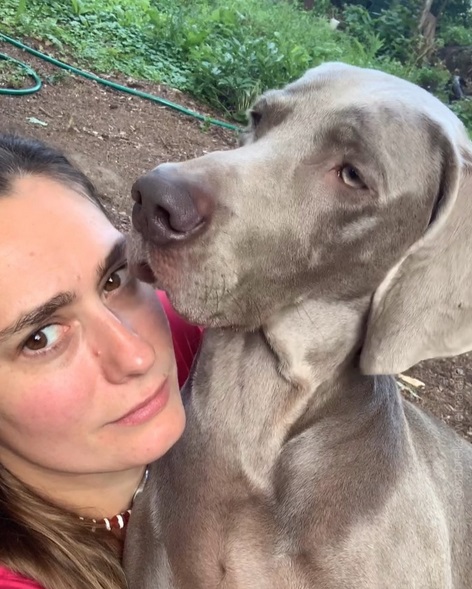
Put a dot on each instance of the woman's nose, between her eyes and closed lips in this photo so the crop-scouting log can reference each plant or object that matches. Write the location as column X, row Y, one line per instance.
column 123, row 353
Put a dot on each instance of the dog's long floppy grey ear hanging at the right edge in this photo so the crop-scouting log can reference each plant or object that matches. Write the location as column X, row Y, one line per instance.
column 423, row 308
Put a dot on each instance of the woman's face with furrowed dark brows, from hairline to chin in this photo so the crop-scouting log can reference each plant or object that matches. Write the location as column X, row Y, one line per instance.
column 88, row 379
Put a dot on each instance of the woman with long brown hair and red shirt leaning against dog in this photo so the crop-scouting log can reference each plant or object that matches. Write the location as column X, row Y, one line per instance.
column 89, row 391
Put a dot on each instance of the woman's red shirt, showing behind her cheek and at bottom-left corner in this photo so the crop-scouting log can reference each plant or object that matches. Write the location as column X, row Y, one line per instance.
column 186, row 340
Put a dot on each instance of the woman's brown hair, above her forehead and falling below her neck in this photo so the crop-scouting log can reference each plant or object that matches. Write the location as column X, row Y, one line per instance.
column 40, row 540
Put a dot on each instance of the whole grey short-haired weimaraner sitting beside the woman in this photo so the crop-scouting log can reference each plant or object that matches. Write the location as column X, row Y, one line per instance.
column 333, row 247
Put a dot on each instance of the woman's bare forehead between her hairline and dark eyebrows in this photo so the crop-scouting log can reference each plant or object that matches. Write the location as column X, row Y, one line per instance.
column 51, row 237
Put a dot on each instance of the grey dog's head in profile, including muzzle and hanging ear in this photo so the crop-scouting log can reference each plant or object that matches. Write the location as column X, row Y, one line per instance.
column 348, row 183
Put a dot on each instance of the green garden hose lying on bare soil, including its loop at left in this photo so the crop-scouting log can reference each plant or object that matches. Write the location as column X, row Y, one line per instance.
column 103, row 81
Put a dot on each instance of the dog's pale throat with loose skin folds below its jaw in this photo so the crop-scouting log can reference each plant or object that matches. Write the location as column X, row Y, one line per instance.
column 268, row 385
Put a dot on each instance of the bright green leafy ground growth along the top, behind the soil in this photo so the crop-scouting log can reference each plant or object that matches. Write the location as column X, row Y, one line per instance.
column 223, row 53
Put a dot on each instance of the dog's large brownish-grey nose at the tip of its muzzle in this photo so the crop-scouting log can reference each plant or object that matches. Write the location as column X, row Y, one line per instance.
column 168, row 207
